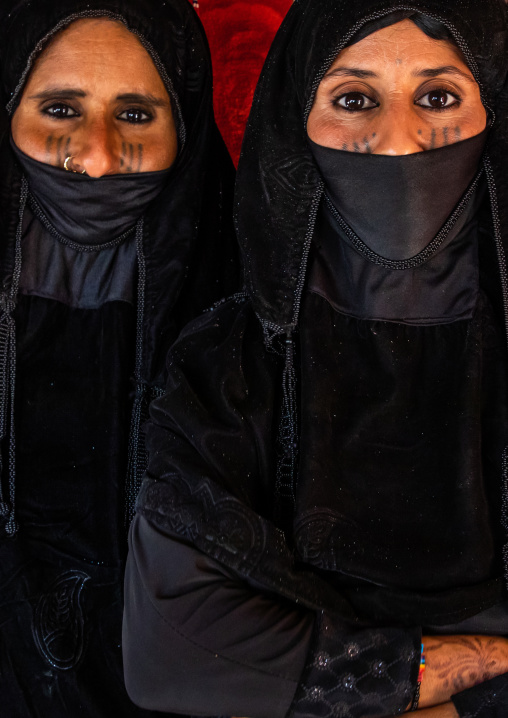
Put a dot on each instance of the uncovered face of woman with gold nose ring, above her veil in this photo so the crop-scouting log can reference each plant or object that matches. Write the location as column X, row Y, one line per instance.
column 95, row 95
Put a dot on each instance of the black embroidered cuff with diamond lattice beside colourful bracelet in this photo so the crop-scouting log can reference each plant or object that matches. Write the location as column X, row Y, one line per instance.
column 352, row 674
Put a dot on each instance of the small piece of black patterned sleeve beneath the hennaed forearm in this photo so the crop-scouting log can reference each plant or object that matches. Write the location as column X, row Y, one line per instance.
column 486, row 700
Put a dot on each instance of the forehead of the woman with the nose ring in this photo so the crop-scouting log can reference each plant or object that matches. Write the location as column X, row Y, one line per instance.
column 96, row 50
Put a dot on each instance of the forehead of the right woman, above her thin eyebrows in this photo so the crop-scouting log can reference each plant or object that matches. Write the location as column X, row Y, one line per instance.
column 401, row 43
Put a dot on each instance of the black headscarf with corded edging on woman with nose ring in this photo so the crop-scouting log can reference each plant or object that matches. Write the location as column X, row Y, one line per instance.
column 186, row 252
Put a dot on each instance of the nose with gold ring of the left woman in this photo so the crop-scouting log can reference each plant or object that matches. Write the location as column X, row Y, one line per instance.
column 95, row 149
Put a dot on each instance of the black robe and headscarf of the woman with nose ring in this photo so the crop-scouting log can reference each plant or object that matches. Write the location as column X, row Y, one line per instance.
column 93, row 325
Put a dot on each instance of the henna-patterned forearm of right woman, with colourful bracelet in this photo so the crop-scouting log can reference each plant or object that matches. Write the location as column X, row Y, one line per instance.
column 455, row 663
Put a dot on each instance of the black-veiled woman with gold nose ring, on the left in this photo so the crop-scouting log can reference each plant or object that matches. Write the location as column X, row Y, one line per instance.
column 114, row 232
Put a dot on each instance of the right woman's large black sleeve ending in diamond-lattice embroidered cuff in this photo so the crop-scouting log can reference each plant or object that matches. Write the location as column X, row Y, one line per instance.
column 199, row 641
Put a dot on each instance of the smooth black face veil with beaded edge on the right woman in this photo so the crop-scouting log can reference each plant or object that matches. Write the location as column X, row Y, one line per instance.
column 398, row 204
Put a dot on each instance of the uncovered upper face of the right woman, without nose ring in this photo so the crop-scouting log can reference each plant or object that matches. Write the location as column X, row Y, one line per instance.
column 396, row 92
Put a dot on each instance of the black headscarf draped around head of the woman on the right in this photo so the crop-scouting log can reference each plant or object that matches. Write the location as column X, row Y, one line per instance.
column 278, row 186
